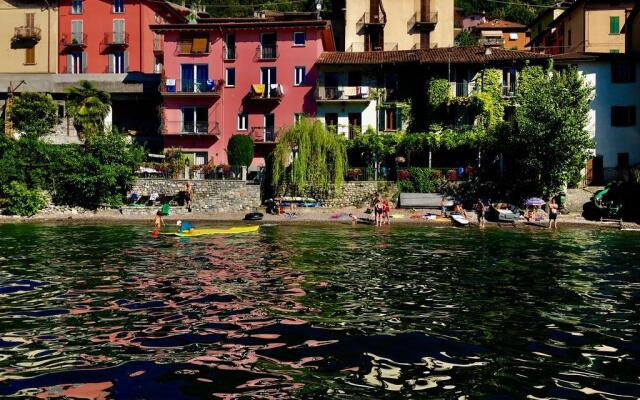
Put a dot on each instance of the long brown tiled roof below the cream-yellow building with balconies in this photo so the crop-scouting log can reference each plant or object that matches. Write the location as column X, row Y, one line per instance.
column 452, row 55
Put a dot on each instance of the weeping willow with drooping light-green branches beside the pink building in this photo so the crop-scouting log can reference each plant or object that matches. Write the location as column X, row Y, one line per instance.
column 309, row 160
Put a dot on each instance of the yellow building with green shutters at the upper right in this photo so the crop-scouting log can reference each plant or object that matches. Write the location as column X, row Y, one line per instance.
column 594, row 26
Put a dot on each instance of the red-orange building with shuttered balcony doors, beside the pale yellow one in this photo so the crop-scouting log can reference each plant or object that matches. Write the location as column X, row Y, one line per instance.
column 111, row 36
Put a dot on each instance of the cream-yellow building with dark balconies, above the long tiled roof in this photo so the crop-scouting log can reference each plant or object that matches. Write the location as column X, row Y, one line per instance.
column 398, row 24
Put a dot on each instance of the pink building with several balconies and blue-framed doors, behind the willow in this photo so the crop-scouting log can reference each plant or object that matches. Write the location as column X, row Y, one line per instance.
column 225, row 77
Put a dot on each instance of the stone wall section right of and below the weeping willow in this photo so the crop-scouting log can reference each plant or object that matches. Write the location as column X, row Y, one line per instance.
column 360, row 194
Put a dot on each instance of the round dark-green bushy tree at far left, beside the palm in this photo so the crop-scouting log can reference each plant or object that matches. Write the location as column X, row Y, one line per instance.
column 34, row 114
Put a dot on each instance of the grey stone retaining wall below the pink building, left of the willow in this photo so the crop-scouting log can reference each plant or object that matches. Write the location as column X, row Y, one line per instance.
column 209, row 195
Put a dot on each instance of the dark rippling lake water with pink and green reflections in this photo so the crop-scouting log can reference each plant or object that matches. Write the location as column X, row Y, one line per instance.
column 319, row 312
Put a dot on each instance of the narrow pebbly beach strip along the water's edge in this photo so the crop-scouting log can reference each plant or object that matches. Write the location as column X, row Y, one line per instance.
column 303, row 217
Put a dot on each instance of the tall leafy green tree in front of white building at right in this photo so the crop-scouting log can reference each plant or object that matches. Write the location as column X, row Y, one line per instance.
column 548, row 142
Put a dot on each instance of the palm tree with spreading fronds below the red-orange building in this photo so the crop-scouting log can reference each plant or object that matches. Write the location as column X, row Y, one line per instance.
column 89, row 106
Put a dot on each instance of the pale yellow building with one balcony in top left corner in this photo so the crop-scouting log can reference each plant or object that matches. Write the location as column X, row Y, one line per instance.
column 28, row 36
